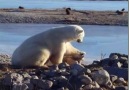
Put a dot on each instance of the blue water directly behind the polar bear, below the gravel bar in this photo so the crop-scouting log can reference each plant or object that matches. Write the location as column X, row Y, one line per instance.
column 98, row 39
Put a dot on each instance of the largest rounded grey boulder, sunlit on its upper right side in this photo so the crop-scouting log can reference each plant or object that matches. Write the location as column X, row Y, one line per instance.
column 101, row 77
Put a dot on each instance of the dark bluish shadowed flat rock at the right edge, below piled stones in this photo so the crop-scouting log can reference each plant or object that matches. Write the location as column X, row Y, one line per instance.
column 120, row 72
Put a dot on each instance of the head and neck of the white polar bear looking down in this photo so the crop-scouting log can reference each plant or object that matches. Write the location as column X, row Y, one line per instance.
column 69, row 33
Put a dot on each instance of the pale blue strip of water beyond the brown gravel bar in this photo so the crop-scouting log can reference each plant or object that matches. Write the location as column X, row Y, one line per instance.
column 74, row 4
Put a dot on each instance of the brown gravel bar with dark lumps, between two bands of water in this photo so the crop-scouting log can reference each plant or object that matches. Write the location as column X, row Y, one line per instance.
column 59, row 16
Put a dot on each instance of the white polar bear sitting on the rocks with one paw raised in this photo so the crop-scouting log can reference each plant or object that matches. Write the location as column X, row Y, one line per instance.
column 53, row 44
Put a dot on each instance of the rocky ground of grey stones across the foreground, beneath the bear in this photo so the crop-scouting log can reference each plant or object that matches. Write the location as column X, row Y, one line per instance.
column 107, row 74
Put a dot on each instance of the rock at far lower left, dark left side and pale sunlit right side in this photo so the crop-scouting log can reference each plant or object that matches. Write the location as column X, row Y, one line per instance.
column 12, row 78
